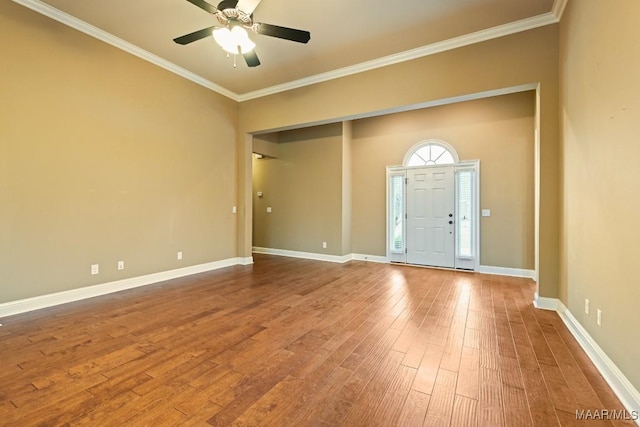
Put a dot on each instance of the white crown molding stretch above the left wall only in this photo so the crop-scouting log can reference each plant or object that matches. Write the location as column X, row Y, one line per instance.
column 80, row 25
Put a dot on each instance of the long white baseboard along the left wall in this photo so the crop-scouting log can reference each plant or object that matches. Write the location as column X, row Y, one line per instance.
column 50, row 300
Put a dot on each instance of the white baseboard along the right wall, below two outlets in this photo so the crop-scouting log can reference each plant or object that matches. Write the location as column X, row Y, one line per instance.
column 619, row 383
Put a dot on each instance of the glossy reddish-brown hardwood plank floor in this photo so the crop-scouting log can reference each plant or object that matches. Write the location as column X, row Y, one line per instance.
column 291, row 342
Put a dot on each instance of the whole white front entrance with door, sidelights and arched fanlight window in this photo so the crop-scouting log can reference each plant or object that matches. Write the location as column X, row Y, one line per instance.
column 432, row 208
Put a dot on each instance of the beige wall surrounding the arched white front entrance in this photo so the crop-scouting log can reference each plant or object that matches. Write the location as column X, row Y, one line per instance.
column 498, row 131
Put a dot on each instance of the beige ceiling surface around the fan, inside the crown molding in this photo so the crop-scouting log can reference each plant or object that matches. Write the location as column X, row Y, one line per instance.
column 345, row 35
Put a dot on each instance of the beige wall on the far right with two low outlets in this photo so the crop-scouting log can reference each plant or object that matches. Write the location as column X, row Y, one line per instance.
column 600, row 112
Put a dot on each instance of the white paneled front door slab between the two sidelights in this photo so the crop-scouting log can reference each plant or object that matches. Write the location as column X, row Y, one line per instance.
column 430, row 216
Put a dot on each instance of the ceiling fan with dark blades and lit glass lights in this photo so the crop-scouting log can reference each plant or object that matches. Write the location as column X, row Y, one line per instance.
column 234, row 17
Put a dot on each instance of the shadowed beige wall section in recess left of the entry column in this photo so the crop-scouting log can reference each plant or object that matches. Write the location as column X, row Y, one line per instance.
column 303, row 186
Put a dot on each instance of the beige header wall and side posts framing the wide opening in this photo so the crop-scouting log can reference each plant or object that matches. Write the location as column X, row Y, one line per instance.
column 523, row 58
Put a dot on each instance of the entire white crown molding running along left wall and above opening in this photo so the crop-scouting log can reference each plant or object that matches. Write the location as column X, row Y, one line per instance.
column 431, row 49
